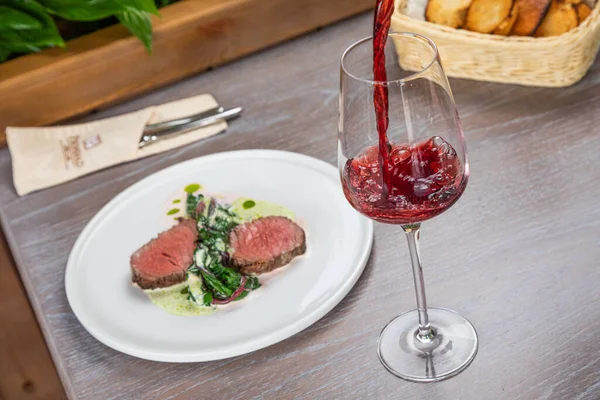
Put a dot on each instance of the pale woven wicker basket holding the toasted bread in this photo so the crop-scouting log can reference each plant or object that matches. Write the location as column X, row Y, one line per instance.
column 553, row 61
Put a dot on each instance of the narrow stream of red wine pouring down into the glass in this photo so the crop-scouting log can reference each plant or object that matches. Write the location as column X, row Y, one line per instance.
column 381, row 26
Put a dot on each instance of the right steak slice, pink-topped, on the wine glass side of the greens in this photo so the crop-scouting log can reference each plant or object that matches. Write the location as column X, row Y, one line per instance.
column 265, row 244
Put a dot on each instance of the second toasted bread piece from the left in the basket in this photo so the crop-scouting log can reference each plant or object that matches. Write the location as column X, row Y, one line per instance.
column 485, row 16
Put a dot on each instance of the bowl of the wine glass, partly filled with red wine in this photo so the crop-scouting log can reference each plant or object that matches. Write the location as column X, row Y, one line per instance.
column 428, row 163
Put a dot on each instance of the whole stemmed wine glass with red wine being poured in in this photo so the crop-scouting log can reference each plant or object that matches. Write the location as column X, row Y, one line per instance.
column 415, row 173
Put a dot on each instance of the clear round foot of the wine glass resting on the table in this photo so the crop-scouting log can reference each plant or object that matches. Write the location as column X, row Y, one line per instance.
column 450, row 352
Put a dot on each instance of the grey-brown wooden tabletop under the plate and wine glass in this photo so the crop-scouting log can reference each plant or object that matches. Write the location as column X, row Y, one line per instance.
column 518, row 255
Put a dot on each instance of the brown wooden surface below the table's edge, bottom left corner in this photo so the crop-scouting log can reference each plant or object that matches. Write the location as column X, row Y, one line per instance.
column 26, row 369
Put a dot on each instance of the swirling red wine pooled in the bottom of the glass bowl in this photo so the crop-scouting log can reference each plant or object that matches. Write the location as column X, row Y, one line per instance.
column 424, row 180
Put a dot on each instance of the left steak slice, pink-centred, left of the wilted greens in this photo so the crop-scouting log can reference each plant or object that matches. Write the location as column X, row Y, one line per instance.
column 163, row 261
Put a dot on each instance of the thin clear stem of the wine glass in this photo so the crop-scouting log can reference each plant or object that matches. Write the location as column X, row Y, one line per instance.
column 425, row 333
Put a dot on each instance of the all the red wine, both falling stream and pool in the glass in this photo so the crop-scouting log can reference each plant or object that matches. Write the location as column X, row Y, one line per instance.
column 400, row 184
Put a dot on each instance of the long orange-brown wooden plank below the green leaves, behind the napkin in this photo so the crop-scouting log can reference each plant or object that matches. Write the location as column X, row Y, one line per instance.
column 109, row 65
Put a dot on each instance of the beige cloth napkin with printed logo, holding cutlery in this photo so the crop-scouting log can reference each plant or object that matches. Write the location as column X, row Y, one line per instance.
column 44, row 157
